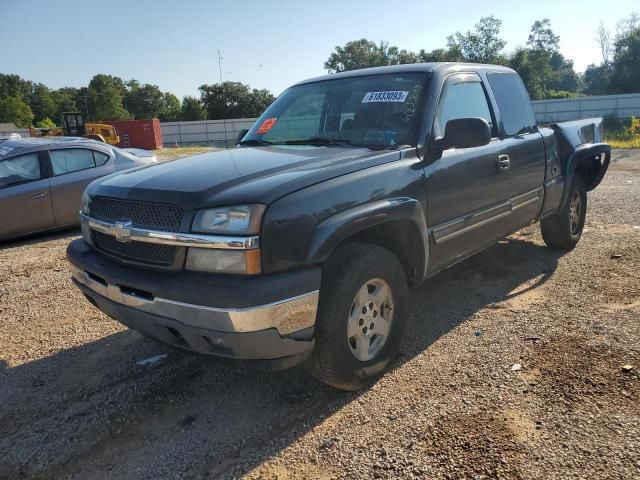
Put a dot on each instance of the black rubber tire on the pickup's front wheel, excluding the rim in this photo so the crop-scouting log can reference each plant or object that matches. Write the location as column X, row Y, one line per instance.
column 348, row 269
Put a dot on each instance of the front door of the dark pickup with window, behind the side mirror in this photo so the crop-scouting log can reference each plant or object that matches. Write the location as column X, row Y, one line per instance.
column 467, row 191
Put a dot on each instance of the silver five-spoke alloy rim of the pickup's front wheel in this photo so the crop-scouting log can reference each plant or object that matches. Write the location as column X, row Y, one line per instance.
column 370, row 318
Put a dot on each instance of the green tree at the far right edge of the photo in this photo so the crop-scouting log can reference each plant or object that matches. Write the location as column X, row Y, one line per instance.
column 625, row 77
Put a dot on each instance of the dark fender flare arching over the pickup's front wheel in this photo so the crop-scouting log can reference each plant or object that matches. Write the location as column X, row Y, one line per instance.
column 397, row 224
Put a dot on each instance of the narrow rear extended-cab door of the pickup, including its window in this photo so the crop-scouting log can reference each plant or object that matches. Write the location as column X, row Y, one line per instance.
column 523, row 152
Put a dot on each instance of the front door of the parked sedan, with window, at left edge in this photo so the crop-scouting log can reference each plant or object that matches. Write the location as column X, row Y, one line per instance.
column 25, row 201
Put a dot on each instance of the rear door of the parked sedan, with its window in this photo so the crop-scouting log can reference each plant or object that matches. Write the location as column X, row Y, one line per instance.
column 73, row 169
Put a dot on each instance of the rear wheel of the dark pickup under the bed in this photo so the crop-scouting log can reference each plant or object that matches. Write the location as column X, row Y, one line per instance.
column 563, row 229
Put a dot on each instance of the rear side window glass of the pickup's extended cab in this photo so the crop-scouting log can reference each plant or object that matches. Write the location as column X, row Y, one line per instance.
column 513, row 102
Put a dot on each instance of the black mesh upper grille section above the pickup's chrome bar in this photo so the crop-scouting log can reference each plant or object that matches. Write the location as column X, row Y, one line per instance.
column 156, row 216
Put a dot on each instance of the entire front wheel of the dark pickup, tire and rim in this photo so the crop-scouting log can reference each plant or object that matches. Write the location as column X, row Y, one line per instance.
column 361, row 316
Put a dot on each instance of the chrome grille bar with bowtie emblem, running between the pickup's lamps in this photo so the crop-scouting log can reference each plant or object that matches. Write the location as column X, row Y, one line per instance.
column 124, row 232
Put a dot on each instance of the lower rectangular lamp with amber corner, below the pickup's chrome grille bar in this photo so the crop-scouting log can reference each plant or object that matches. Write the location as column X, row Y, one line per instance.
column 224, row 261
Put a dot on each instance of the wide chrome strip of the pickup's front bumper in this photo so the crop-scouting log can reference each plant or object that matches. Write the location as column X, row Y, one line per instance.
column 287, row 316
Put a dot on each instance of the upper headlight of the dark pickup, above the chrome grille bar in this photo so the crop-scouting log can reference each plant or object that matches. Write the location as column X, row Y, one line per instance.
column 244, row 219
